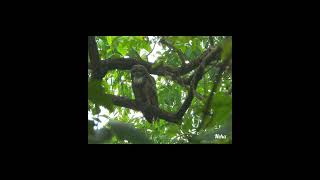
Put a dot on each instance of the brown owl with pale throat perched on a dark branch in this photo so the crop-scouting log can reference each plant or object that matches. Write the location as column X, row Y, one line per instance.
column 144, row 89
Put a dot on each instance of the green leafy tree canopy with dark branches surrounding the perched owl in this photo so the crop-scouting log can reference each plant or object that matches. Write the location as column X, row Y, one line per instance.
column 193, row 77
